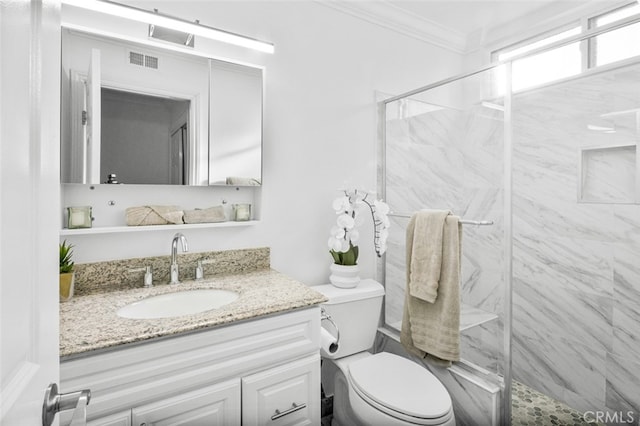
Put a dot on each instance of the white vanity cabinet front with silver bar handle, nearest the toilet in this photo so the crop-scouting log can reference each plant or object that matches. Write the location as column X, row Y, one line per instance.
column 285, row 395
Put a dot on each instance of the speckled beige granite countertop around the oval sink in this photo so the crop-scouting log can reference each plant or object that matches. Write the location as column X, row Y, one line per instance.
column 89, row 323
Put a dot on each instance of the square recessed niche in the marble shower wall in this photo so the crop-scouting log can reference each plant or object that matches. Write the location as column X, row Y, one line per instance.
column 609, row 174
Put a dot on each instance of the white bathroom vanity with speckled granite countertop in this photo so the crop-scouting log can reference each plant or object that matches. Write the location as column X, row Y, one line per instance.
column 253, row 361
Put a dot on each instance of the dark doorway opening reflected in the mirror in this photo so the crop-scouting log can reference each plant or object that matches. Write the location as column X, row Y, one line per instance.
column 143, row 130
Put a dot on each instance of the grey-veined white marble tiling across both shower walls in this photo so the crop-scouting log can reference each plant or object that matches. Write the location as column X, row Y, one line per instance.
column 576, row 285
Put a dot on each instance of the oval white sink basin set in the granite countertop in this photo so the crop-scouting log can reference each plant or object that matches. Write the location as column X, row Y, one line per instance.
column 177, row 304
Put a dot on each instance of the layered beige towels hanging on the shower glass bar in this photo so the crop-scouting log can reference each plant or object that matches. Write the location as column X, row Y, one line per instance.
column 432, row 328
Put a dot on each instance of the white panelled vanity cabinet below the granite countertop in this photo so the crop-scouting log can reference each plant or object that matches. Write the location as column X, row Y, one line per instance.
column 254, row 372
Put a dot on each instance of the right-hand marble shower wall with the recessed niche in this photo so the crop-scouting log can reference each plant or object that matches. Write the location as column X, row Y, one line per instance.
column 576, row 288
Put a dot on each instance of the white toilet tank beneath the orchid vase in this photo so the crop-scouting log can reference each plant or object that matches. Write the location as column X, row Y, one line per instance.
column 356, row 312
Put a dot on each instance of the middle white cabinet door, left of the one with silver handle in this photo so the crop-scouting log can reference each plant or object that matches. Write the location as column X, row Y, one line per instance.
column 209, row 406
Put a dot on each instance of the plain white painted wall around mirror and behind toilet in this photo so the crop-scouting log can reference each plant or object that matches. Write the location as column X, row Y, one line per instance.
column 319, row 129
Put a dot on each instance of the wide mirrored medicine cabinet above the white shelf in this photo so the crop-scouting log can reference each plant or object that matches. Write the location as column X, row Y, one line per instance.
column 139, row 114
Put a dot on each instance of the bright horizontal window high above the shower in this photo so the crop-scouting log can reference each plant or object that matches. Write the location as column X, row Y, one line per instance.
column 567, row 60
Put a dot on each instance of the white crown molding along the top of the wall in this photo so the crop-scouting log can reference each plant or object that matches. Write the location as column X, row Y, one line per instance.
column 392, row 17
